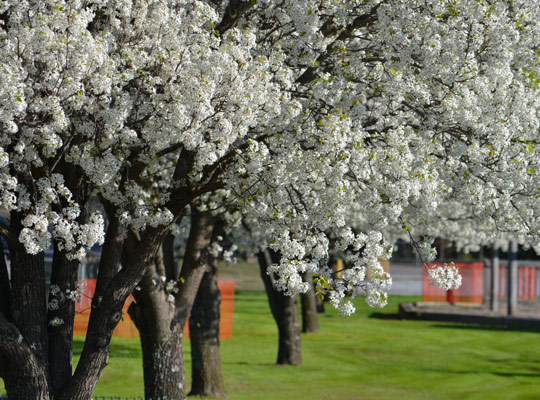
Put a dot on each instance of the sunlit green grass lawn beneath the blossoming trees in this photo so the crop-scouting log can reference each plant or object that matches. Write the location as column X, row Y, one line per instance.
column 365, row 356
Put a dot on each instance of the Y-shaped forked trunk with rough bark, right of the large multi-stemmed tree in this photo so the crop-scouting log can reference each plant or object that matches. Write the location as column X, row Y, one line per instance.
column 160, row 324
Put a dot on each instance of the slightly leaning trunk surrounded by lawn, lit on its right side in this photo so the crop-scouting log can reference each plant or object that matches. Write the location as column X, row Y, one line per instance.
column 285, row 311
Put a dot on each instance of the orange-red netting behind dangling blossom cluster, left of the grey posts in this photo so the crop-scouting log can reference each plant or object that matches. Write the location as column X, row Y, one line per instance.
column 470, row 291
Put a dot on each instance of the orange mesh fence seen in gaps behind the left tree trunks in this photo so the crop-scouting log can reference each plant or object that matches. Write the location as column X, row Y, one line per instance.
column 126, row 328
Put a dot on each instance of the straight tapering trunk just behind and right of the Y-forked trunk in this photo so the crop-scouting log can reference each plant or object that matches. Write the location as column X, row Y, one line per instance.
column 207, row 379
